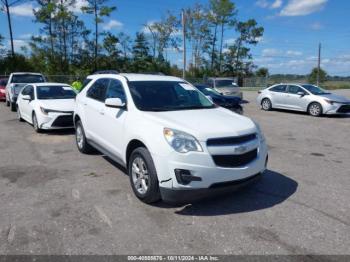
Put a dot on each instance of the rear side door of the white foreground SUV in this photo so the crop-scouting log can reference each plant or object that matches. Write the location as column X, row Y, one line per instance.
column 94, row 109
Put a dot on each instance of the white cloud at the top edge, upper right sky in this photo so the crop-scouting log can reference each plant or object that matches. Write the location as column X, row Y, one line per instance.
column 302, row 7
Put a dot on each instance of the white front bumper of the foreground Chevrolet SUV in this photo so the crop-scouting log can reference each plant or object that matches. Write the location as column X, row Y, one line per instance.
column 202, row 165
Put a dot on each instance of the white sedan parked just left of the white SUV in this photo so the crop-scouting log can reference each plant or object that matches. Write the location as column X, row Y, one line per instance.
column 46, row 105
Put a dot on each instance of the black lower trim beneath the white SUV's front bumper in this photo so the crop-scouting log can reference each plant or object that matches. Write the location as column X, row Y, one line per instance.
column 191, row 195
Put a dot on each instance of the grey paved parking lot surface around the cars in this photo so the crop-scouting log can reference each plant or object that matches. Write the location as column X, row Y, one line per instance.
column 54, row 200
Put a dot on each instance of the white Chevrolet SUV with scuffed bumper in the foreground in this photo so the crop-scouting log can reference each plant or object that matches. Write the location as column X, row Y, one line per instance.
column 176, row 144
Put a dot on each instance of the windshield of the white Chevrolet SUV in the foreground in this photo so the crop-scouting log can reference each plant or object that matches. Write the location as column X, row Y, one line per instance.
column 167, row 96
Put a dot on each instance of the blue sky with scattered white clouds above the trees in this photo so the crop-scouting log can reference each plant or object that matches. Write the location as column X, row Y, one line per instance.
column 293, row 29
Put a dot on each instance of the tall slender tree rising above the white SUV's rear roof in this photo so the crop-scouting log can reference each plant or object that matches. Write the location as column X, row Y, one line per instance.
column 98, row 9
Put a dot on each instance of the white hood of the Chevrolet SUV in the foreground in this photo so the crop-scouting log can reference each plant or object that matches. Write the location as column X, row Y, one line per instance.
column 205, row 123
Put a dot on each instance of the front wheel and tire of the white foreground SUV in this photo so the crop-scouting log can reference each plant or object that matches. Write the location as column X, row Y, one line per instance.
column 143, row 176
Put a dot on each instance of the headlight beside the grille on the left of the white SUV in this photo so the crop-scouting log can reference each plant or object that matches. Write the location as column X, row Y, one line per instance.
column 181, row 141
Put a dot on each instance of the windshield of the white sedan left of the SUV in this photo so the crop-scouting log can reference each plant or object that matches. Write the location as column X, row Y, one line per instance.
column 55, row 92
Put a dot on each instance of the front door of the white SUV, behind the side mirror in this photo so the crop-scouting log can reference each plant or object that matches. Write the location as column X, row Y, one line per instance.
column 115, row 117
